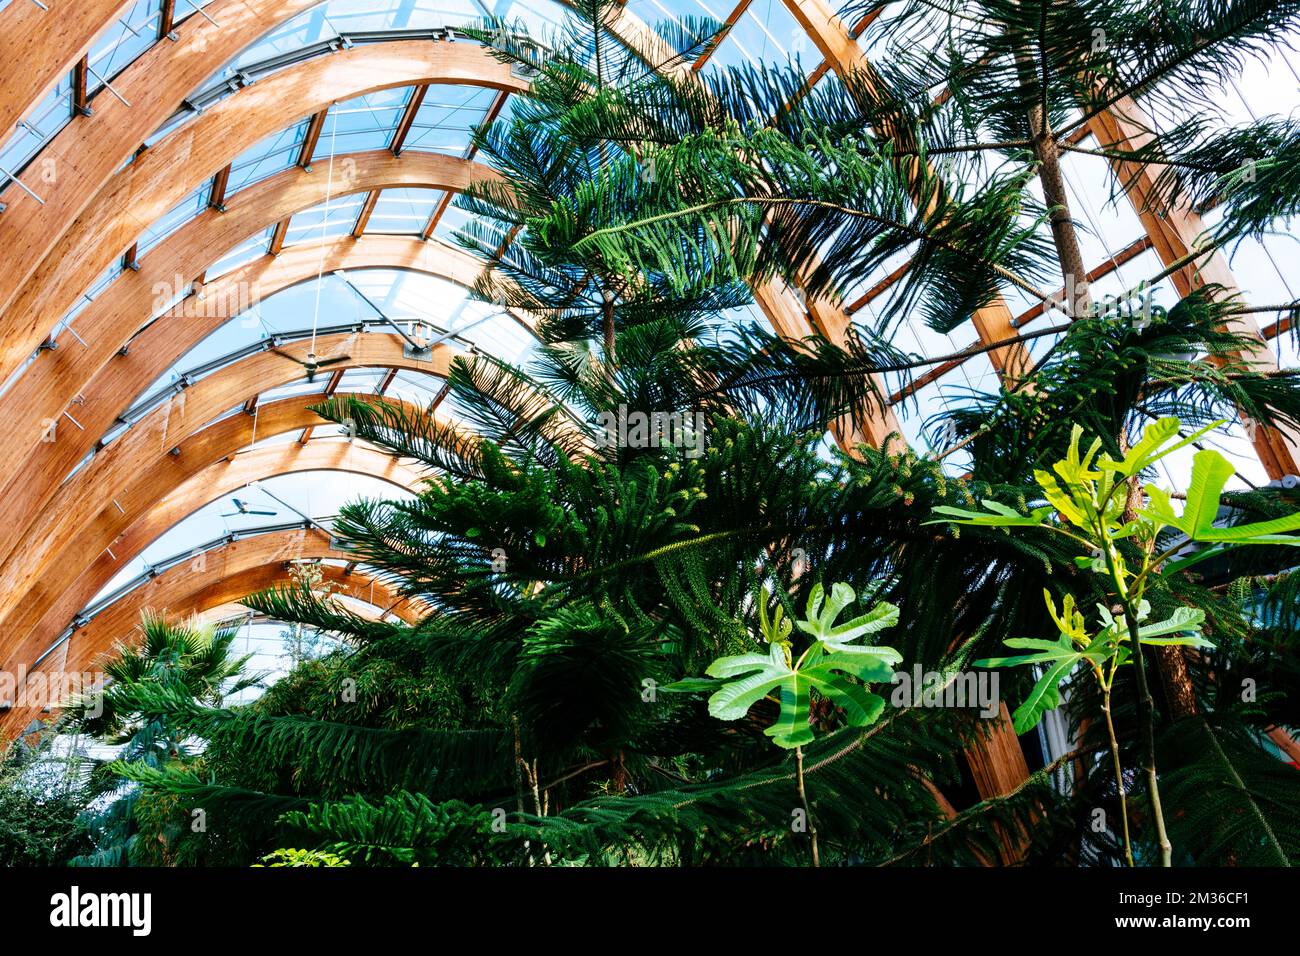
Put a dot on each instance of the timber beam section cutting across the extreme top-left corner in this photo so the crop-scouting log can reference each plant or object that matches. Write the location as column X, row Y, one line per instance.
column 40, row 47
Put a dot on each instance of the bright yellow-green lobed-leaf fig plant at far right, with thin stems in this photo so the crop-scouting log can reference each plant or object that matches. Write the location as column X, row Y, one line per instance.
column 1095, row 501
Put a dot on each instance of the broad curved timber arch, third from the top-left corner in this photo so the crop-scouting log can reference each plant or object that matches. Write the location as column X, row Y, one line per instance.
column 57, row 250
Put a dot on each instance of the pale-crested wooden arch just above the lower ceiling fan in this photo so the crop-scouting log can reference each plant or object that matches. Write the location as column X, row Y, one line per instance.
column 170, row 500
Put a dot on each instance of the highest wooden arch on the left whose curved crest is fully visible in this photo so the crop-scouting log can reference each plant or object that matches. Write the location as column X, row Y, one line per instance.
column 163, row 176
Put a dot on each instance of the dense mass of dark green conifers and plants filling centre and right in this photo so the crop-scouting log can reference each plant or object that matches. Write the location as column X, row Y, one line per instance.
column 595, row 596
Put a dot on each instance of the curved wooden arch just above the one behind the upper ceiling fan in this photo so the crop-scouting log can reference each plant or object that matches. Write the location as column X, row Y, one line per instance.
column 163, row 344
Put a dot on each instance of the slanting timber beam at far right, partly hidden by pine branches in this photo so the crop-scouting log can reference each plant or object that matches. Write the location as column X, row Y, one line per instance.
column 1175, row 233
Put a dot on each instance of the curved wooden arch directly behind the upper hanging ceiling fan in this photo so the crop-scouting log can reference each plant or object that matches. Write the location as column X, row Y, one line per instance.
column 97, row 496
